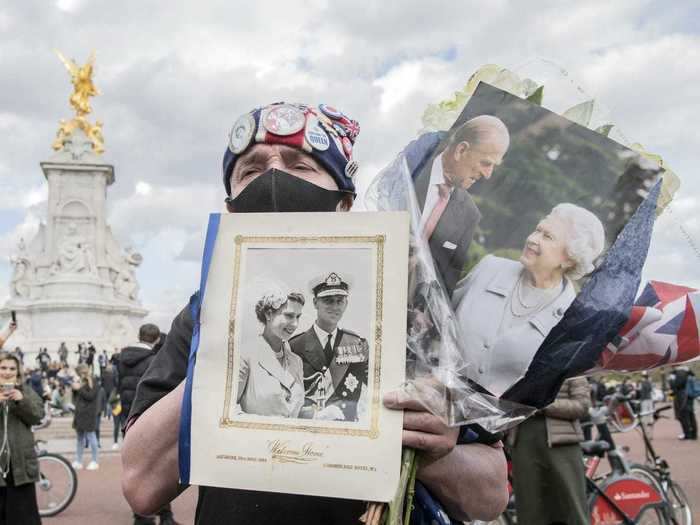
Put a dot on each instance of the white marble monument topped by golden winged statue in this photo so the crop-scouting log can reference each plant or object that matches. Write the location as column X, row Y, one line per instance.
column 73, row 282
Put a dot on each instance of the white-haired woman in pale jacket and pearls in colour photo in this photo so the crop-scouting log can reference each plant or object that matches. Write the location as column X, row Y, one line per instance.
column 506, row 308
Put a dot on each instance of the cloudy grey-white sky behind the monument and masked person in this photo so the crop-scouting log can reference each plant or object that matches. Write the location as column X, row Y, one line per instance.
column 175, row 76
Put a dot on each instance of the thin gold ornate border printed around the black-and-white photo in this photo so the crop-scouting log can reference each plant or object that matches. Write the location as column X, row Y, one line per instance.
column 372, row 432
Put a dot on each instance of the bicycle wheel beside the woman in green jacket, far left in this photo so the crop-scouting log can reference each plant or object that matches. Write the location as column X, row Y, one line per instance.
column 57, row 484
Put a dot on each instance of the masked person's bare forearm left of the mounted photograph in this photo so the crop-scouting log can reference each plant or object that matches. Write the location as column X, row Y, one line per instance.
column 150, row 455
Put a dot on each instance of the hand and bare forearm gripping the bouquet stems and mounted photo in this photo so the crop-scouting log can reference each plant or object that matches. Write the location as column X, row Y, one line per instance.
column 469, row 480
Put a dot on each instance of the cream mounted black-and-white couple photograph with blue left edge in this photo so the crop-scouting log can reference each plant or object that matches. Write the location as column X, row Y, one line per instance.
column 301, row 331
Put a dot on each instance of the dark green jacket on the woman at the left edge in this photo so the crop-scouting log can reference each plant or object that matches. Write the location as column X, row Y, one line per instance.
column 22, row 415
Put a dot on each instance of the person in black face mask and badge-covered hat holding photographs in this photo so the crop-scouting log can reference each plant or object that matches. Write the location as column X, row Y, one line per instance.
column 286, row 158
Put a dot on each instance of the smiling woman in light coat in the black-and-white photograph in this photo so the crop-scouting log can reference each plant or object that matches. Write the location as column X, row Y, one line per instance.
column 270, row 375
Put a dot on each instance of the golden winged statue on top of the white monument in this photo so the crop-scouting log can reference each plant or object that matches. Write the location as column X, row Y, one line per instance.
column 83, row 89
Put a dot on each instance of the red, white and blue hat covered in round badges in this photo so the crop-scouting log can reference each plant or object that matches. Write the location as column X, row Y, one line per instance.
column 323, row 132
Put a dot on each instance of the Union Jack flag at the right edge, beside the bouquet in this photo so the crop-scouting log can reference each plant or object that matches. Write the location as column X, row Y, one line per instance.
column 662, row 329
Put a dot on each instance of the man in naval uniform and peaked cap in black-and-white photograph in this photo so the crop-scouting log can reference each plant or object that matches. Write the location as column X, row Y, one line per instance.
column 335, row 360
